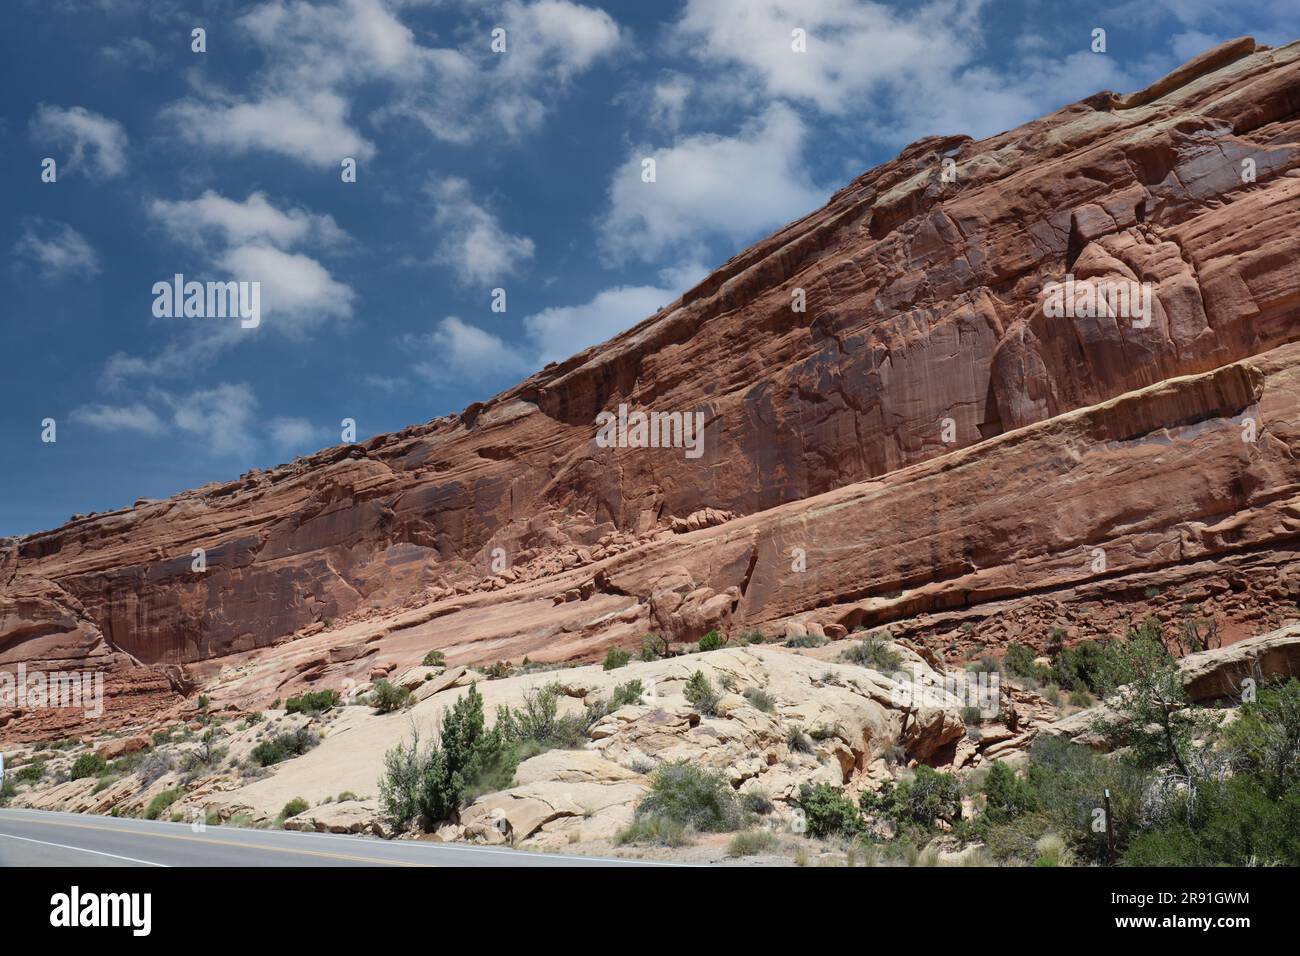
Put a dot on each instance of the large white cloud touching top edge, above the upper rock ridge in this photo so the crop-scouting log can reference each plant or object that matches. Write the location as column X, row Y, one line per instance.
column 902, row 72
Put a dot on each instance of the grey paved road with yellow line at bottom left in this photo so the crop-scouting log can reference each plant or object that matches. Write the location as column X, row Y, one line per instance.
column 41, row 838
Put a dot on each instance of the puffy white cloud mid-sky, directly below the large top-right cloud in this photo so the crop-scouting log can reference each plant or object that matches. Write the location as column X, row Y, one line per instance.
column 712, row 187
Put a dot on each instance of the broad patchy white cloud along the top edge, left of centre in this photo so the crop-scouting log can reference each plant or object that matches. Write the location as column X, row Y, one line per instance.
column 319, row 54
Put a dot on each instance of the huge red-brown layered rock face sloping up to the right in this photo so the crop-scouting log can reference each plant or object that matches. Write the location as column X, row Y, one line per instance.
column 922, row 445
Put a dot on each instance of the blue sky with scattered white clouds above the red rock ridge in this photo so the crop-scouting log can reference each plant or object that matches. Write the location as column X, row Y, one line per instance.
column 476, row 171
